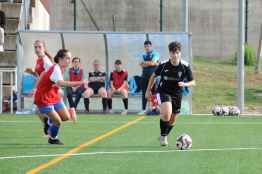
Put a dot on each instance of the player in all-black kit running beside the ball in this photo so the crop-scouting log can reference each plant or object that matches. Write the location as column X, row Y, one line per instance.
column 175, row 74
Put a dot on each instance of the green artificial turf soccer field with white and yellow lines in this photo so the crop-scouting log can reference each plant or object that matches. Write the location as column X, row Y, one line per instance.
column 129, row 144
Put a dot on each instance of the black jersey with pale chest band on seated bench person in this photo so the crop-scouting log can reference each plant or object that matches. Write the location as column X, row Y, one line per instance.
column 96, row 79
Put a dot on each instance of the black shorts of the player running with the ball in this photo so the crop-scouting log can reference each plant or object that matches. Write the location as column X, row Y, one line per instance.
column 174, row 99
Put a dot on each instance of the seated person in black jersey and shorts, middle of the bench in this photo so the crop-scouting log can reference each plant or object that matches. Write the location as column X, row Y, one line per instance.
column 96, row 85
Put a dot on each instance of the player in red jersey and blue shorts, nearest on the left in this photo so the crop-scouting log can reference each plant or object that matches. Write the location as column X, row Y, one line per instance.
column 47, row 97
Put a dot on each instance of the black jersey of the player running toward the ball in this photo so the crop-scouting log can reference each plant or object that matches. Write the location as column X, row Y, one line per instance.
column 171, row 75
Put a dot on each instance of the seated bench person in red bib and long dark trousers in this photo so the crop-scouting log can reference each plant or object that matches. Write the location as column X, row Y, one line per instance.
column 76, row 73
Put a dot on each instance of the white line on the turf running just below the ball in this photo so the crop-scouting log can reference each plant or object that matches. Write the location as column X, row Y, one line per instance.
column 133, row 152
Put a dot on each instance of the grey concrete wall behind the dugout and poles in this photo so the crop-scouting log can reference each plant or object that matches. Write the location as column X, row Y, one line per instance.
column 214, row 24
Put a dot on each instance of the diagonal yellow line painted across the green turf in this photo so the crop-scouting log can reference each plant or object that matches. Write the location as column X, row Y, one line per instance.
column 81, row 146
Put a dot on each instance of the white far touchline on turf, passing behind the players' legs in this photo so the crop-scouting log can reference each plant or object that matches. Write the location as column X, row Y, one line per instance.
column 147, row 122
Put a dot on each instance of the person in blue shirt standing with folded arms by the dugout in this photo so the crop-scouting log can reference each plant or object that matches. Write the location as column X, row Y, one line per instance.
column 149, row 62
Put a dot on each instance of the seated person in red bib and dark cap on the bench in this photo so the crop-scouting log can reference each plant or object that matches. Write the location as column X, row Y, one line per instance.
column 118, row 84
